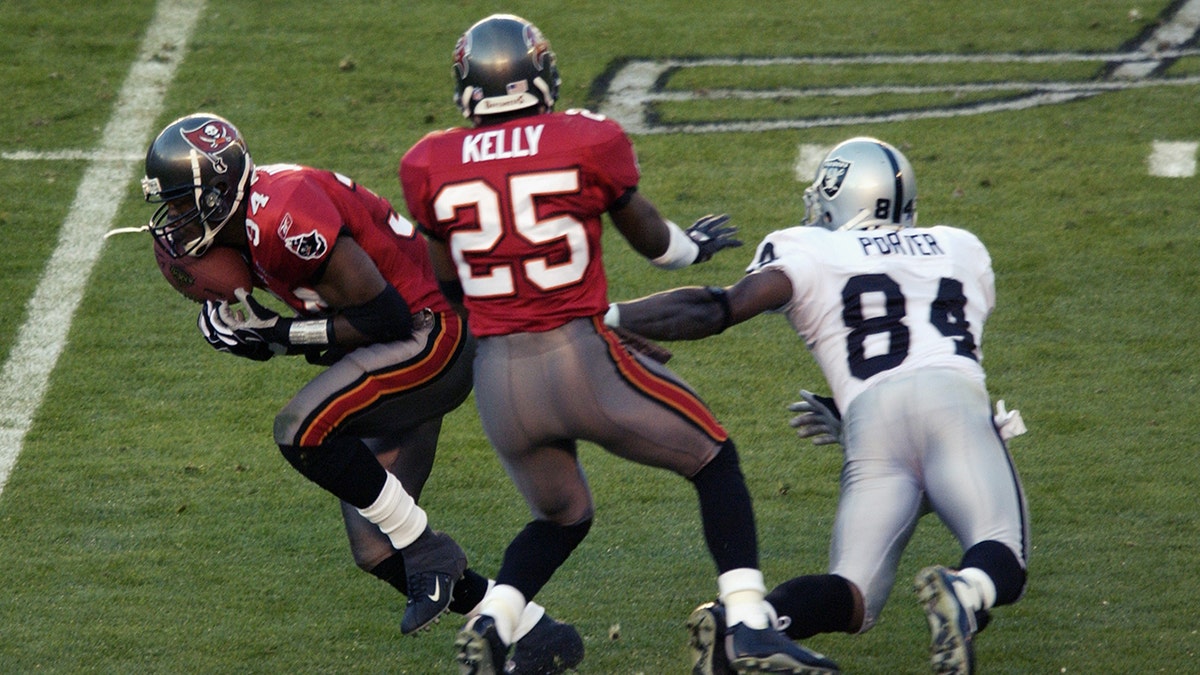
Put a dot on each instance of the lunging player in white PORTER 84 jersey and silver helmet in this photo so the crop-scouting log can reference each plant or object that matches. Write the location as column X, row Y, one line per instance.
column 895, row 316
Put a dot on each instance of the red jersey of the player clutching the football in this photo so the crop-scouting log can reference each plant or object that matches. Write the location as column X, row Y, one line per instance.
column 296, row 216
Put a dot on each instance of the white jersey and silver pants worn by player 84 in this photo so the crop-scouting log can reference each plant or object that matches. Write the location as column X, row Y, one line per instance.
column 896, row 320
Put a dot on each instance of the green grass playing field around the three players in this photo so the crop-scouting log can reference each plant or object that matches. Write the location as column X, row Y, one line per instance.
column 151, row 525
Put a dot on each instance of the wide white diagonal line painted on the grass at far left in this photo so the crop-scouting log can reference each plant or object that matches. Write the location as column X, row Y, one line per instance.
column 44, row 336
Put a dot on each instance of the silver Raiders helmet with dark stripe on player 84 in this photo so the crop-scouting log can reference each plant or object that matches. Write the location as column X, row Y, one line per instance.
column 862, row 184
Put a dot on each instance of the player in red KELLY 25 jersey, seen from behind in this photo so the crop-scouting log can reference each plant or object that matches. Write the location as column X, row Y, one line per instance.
column 513, row 211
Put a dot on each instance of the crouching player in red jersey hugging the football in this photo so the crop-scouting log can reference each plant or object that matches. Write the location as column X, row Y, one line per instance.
column 368, row 306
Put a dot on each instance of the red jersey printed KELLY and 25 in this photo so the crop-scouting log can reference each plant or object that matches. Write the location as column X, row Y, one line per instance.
column 519, row 206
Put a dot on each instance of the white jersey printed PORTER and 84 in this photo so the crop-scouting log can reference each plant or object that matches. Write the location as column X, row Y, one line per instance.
column 874, row 304
